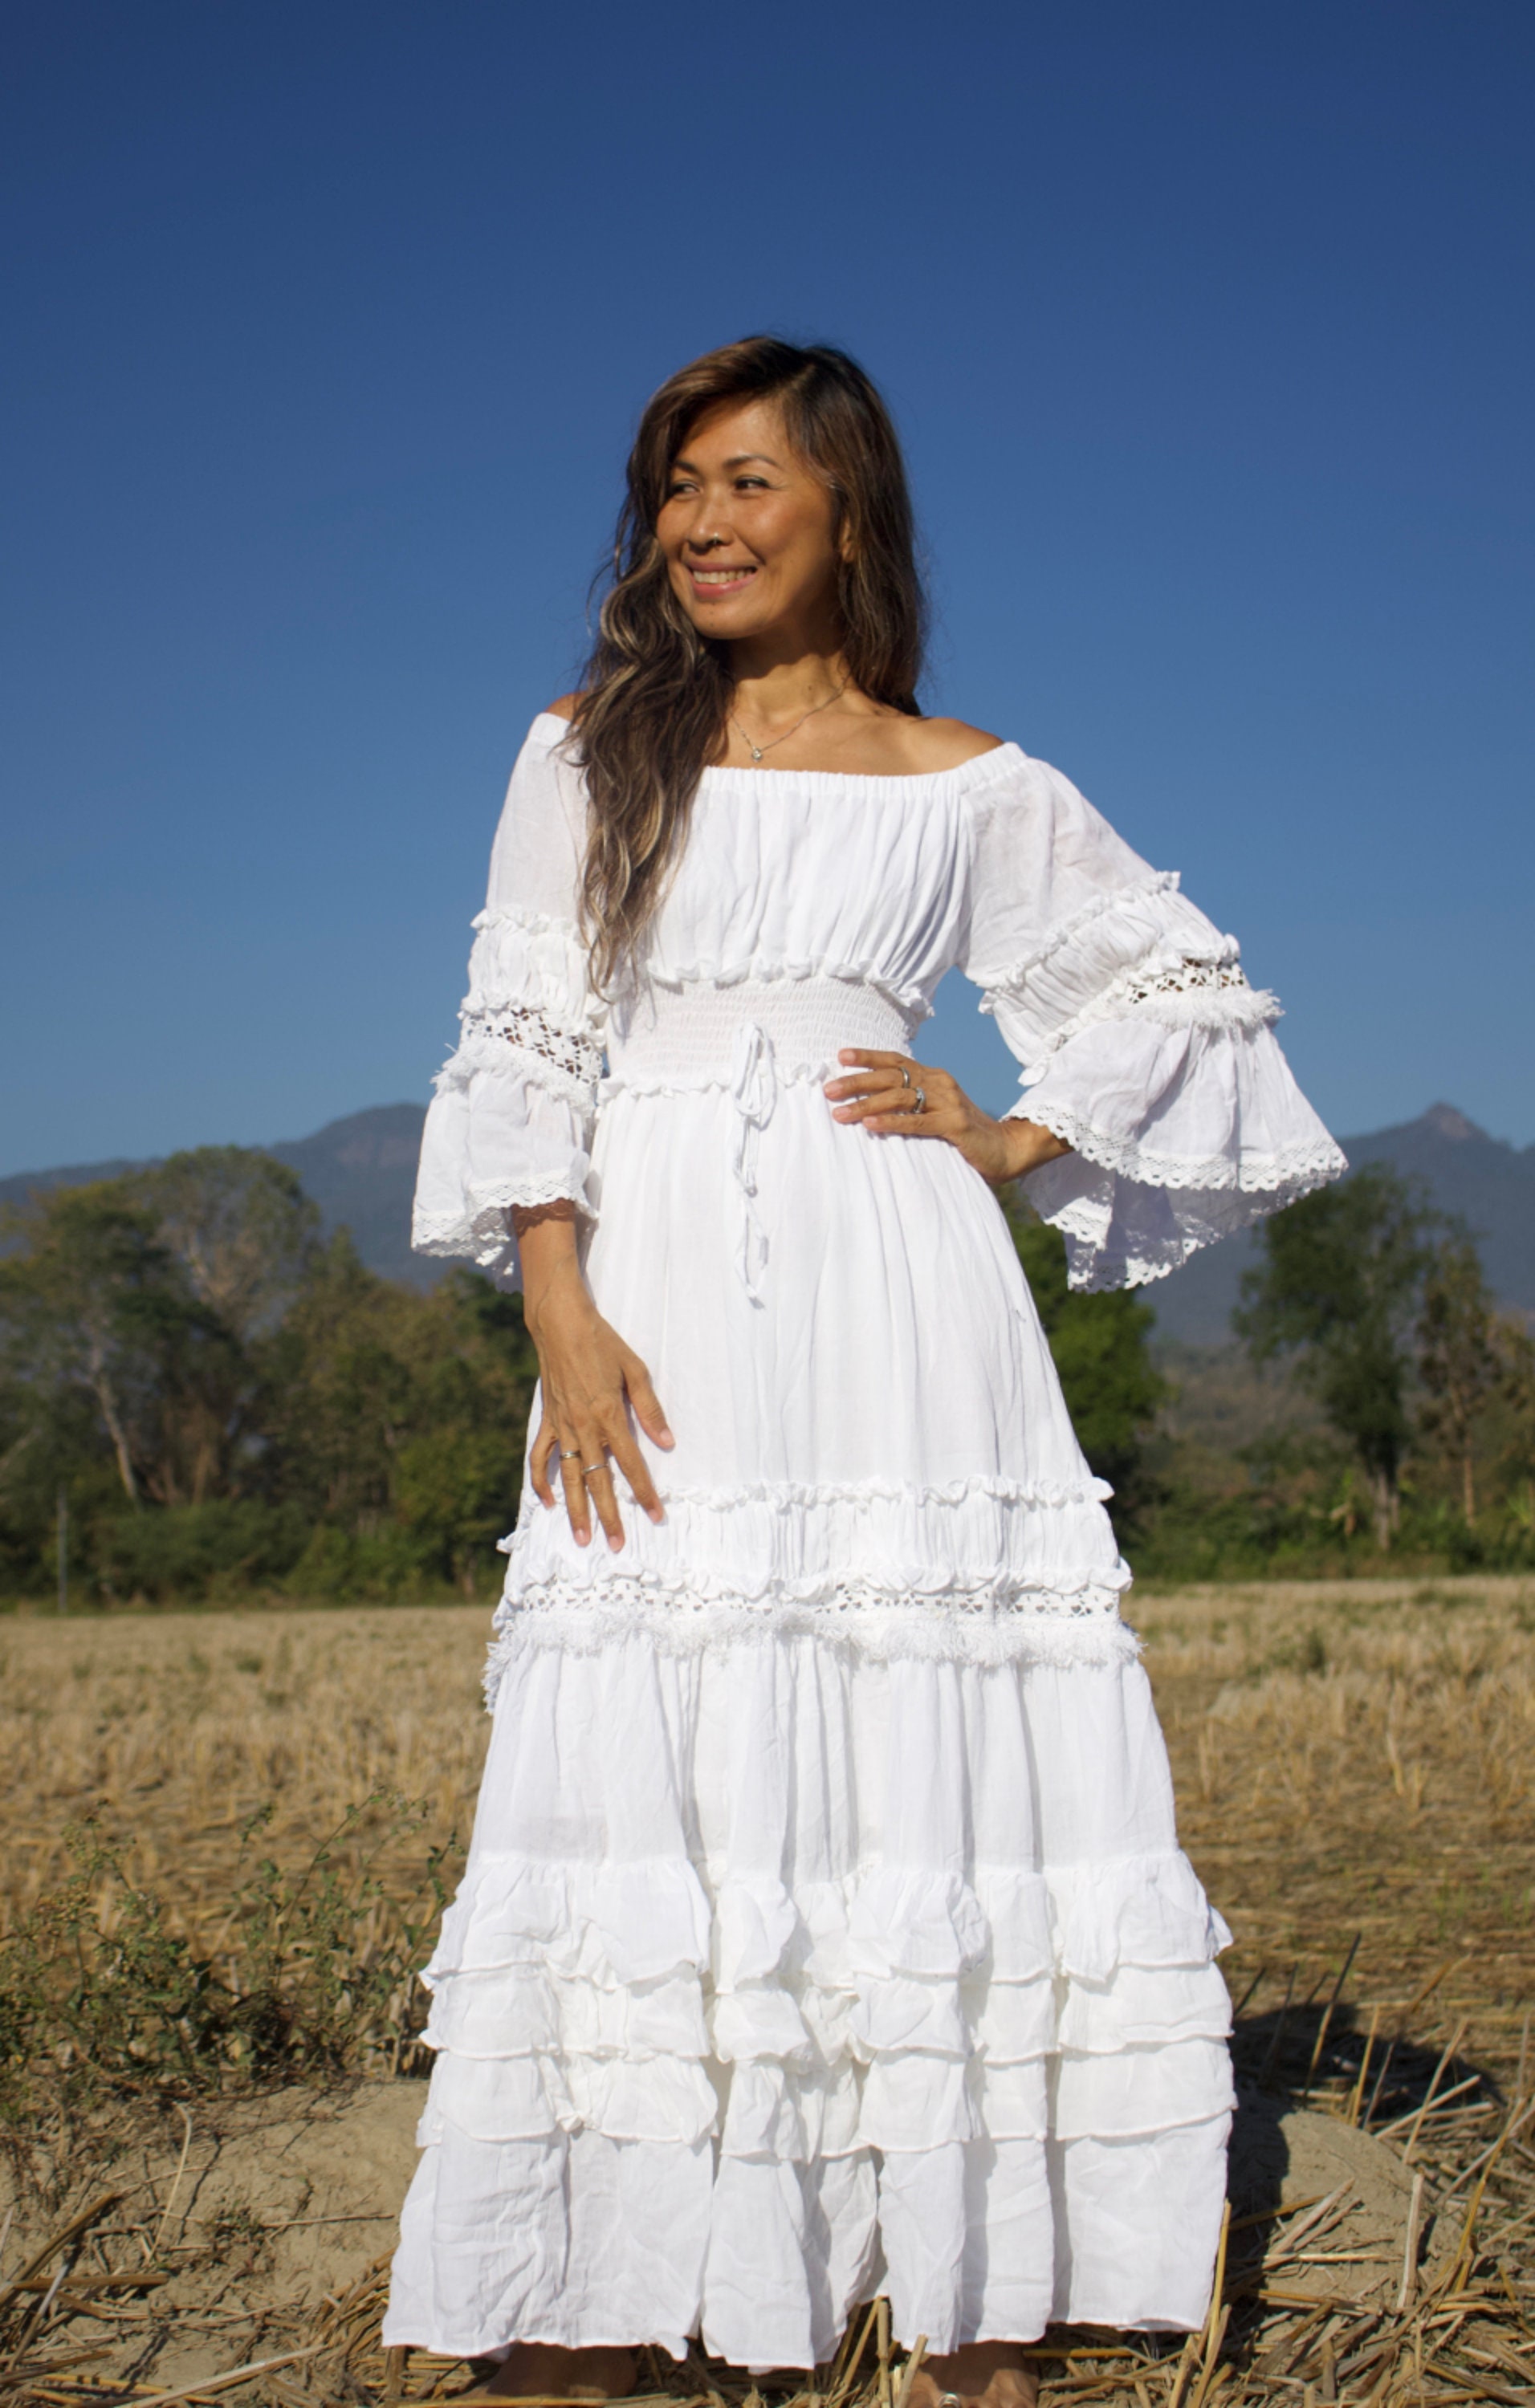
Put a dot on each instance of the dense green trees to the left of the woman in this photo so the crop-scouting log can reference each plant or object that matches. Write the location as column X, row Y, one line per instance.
column 225, row 1403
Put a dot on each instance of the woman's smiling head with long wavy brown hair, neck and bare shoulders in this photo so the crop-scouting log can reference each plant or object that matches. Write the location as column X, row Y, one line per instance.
column 763, row 577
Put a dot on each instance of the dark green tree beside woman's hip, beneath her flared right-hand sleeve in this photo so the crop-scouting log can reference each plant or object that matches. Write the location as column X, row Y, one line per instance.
column 1102, row 1357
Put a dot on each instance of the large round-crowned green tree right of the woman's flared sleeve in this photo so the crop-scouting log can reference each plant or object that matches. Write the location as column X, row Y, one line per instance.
column 1339, row 1289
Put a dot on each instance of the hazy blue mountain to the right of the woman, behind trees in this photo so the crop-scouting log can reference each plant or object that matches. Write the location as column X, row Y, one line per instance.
column 1486, row 1181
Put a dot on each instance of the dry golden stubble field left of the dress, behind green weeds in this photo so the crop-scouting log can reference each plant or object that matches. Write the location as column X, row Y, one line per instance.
column 175, row 1728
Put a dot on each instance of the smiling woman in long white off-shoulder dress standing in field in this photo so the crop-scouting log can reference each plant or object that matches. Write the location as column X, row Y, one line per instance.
column 825, row 1928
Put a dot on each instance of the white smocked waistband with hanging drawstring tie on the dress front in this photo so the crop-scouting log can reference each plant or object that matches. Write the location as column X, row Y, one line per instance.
column 751, row 1039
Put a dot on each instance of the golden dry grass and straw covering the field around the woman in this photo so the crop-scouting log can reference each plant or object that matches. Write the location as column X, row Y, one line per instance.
column 1358, row 1788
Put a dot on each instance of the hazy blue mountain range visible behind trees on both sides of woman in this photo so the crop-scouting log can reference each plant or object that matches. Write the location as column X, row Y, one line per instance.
column 363, row 1169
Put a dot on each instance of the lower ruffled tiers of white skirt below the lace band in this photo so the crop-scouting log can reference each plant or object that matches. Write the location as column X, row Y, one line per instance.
column 784, row 1976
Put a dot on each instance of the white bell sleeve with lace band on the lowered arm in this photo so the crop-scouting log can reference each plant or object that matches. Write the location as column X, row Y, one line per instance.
column 514, row 1104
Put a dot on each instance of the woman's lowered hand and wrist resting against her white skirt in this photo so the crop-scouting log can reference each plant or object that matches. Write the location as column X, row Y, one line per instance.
column 589, row 1381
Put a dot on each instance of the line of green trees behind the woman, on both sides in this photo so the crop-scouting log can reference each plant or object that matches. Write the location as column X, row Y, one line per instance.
column 225, row 1403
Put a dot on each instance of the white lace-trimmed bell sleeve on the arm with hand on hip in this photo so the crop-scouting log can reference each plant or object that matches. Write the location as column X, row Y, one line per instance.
column 1141, row 1041
